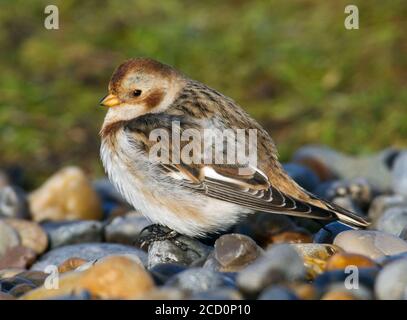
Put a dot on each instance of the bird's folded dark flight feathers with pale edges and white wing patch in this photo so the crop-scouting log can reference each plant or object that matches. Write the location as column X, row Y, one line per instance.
column 252, row 191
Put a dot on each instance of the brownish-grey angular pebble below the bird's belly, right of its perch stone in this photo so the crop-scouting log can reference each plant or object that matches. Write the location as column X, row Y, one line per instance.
column 235, row 251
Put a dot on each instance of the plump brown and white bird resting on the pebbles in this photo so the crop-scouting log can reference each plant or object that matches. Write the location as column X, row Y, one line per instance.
column 194, row 198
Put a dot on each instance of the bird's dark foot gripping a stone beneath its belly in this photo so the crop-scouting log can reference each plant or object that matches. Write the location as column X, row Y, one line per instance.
column 156, row 232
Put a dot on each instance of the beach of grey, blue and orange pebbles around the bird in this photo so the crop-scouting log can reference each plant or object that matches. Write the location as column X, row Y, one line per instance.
column 75, row 238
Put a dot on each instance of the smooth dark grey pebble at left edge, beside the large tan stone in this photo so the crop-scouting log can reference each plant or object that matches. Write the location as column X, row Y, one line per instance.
column 13, row 202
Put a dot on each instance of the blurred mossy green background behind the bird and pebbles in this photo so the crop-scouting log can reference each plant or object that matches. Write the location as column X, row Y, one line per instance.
column 291, row 64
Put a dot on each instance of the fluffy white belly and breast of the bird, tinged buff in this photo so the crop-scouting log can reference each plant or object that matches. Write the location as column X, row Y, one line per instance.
column 157, row 198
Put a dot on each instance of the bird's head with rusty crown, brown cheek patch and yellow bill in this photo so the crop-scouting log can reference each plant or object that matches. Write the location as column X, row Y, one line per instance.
column 140, row 86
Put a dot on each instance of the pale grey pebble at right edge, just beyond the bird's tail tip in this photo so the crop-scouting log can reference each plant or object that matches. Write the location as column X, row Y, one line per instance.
column 393, row 221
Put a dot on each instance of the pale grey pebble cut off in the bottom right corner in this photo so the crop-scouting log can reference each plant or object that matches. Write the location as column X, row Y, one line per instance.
column 391, row 283
